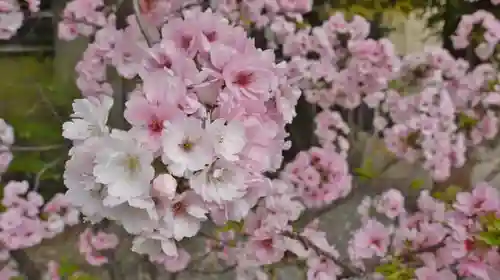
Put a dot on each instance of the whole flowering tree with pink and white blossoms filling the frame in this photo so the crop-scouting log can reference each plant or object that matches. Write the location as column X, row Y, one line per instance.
column 211, row 116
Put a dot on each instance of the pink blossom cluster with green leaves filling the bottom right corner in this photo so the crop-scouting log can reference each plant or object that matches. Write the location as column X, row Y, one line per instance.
column 437, row 237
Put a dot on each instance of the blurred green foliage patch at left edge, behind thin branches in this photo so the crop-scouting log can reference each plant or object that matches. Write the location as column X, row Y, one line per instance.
column 35, row 107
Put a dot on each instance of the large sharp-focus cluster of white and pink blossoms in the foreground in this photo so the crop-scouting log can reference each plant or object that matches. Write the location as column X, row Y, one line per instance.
column 207, row 121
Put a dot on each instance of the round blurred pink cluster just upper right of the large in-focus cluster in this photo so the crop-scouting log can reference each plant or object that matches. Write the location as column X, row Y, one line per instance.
column 339, row 65
